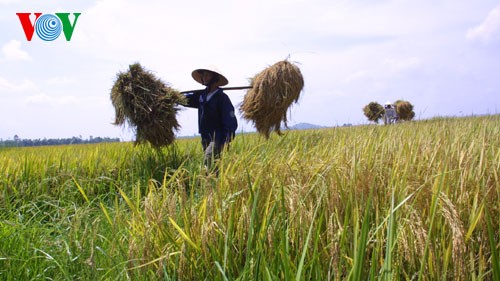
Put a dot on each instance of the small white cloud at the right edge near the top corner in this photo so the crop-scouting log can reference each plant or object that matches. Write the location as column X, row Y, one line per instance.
column 489, row 30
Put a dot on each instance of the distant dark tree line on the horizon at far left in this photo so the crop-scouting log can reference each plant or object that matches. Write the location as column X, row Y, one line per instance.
column 18, row 142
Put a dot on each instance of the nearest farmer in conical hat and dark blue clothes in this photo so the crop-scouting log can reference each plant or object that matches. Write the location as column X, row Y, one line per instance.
column 216, row 119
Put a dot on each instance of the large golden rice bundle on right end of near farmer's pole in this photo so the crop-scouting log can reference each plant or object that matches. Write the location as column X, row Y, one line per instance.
column 272, row 93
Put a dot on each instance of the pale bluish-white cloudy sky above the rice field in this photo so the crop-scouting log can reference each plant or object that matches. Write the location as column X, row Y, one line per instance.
column 443, row 56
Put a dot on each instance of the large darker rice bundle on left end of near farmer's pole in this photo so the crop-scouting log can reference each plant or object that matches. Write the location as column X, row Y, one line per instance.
column 147, row 104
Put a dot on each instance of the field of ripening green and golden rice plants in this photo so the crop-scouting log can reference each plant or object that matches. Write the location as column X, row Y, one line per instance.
column 412, row 201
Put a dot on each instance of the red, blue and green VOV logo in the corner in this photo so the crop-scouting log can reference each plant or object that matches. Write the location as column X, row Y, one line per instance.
column 48, row 27
